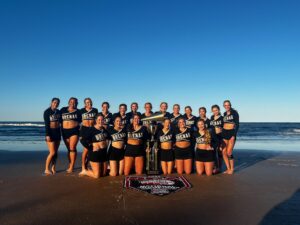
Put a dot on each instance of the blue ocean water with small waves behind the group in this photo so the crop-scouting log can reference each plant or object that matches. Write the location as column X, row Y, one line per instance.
column 25, row 136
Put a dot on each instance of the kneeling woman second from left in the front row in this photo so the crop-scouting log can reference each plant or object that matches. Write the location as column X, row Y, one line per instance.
column 116, row 151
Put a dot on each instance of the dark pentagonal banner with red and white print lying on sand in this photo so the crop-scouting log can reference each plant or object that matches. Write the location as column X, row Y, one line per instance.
column 157, row 185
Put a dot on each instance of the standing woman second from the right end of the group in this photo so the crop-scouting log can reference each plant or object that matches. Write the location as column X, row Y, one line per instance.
column 216, row 124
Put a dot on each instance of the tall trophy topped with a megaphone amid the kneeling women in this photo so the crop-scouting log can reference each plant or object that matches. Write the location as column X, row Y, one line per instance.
column 151, row 156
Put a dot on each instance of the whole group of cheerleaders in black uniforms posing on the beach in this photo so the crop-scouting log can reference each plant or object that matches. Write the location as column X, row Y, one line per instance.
column 122, row 139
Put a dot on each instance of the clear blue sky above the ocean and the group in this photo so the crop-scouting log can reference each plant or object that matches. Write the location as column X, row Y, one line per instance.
column 196, row 53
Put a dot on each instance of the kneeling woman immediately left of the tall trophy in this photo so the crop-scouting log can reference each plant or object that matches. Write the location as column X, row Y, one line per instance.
column 137, row 138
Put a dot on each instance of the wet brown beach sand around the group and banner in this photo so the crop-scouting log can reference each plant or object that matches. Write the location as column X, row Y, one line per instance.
column 264, row 190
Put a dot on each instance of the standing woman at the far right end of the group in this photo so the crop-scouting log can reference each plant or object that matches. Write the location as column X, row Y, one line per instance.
column 230, row 129
